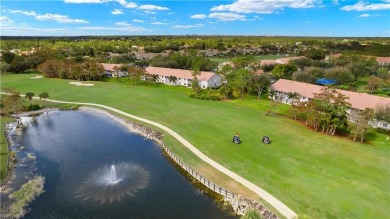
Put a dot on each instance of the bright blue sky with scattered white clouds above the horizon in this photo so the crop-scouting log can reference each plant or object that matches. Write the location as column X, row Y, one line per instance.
column 340, row 18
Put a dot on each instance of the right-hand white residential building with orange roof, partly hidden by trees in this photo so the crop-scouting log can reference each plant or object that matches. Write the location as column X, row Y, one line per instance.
column 358, row 101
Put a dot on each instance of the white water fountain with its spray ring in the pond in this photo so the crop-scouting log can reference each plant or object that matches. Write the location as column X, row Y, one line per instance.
column 113, row 183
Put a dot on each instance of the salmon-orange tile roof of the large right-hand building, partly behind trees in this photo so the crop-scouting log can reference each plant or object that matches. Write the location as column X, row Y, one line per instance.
column 357, row 100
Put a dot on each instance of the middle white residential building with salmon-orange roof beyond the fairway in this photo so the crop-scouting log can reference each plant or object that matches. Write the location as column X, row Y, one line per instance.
column 184, row 77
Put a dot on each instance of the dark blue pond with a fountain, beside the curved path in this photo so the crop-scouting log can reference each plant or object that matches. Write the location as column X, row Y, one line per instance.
column 95, row 168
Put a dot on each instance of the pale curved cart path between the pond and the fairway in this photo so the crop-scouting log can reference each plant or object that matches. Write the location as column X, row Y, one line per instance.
column 278, row 205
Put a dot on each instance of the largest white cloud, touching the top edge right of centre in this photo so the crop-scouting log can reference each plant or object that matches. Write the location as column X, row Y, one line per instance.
column 265, row 6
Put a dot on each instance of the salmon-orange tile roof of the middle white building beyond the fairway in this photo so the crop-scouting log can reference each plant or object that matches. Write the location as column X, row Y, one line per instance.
column 179, row 73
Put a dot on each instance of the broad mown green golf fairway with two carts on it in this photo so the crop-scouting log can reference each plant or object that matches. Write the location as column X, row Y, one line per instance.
column 312, row 173
